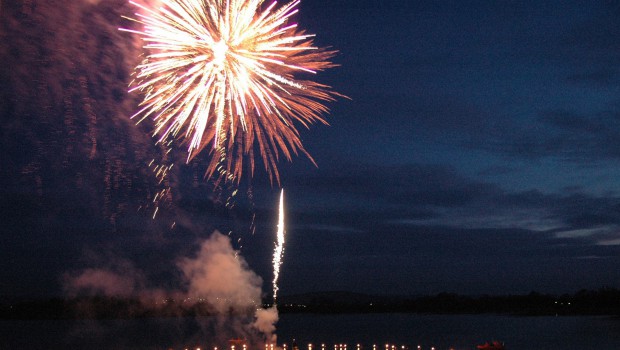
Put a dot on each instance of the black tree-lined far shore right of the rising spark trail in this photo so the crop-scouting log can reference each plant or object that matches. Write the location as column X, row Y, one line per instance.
column 604, row 301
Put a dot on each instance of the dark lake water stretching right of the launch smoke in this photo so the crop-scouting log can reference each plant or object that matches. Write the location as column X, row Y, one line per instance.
column 455, row 331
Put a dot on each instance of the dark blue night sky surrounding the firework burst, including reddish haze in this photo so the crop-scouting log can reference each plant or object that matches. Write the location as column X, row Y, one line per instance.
column 478, row 153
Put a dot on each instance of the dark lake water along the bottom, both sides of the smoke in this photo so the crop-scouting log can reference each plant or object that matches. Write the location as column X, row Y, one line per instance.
column 441, row 331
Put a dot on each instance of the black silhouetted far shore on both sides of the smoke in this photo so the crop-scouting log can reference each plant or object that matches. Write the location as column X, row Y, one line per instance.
column 600, row 302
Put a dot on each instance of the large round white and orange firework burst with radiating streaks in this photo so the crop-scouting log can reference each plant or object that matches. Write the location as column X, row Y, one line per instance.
column 226, row 73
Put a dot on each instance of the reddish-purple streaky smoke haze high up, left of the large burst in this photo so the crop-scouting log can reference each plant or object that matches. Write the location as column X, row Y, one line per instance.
column 65, row 109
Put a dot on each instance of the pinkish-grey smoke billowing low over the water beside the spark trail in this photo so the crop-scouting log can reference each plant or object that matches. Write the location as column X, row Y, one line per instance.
column 216, row 275
